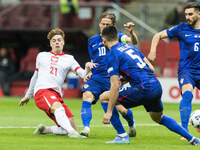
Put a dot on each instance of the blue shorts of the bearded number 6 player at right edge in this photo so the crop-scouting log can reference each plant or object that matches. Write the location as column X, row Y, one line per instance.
column 192, row 78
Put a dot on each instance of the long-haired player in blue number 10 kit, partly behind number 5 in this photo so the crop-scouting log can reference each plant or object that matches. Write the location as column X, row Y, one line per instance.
column 97, row 82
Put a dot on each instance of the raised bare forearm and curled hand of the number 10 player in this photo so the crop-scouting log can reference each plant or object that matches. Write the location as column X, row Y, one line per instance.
column 133, row 39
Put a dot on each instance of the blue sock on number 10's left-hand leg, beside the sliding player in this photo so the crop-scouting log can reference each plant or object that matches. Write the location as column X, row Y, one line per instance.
column 86, row 113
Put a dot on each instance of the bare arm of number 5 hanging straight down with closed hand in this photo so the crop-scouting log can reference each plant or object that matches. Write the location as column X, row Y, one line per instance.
column 114, row 92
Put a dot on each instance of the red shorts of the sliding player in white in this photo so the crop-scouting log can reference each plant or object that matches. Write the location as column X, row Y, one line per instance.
column 44, row 99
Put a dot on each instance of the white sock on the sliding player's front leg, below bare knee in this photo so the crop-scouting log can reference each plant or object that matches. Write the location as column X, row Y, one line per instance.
column 63, row 120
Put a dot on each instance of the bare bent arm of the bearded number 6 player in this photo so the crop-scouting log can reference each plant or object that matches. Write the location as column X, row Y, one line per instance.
column 156, row 39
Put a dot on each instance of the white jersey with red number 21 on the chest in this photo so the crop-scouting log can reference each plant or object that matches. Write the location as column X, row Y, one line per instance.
column 52, row 69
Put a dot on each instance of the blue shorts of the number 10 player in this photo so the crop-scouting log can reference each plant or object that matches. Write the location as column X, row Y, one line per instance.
column 97, row 86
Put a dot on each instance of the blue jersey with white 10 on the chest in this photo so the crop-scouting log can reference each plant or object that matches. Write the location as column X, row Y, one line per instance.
column 98, row 52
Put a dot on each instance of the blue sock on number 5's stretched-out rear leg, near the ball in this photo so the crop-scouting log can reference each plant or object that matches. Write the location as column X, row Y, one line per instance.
column 172, row 125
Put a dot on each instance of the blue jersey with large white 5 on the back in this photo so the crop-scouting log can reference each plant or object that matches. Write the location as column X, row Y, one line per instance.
column 127, row 60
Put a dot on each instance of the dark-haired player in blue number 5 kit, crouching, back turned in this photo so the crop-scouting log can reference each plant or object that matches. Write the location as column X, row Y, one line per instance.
column 126, row 60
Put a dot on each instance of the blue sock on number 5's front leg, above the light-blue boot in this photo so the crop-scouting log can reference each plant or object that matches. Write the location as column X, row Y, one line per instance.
column 114, row 119
